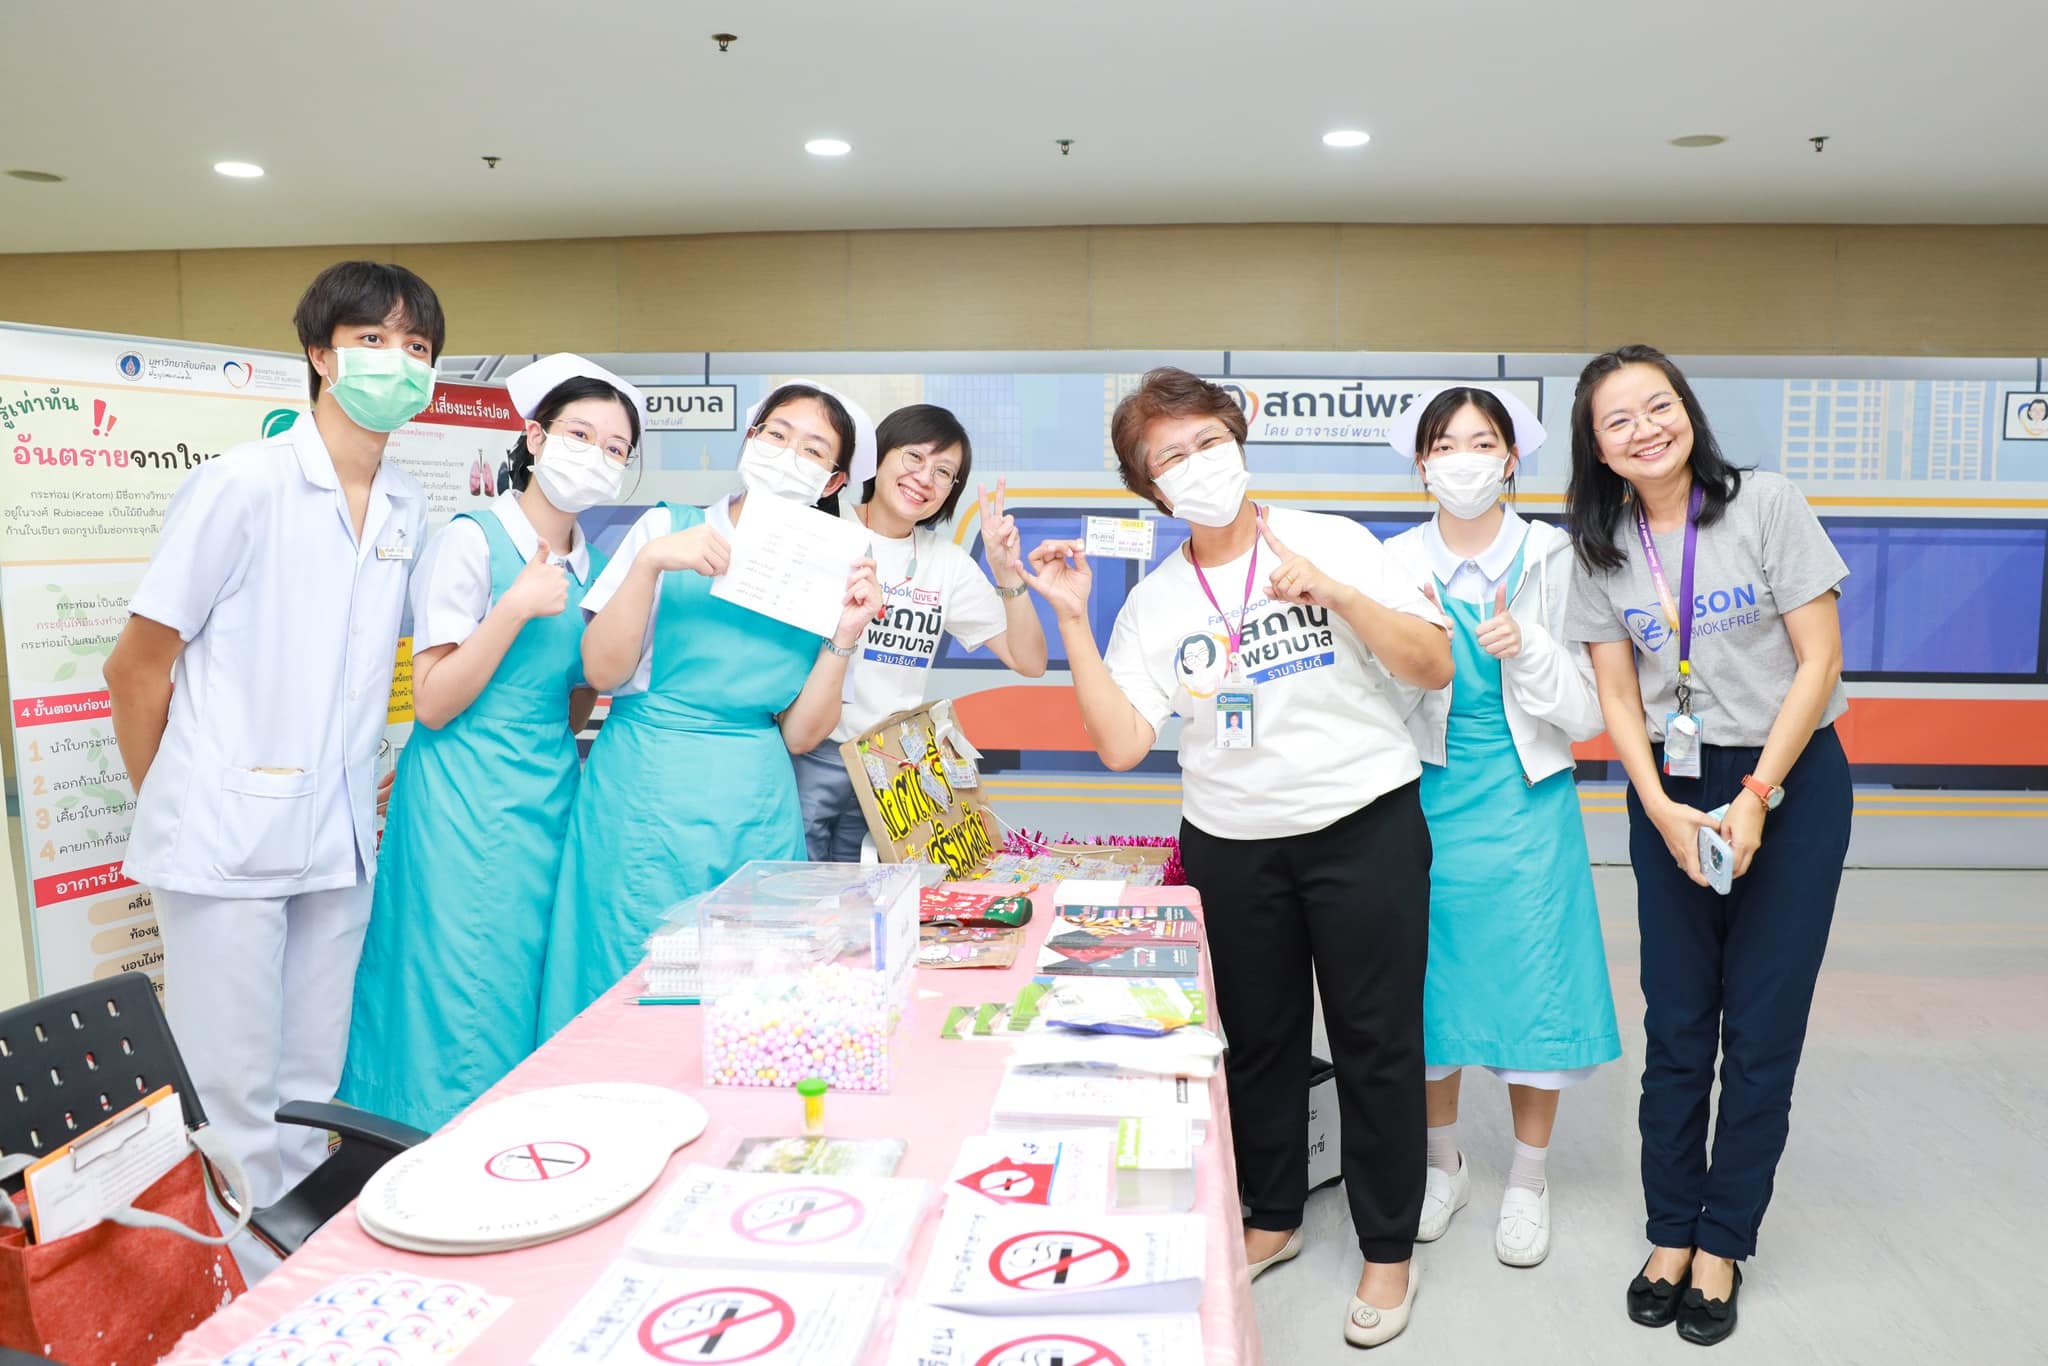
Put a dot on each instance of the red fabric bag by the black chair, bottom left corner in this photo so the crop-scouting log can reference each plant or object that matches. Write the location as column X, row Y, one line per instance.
column 116, row 1295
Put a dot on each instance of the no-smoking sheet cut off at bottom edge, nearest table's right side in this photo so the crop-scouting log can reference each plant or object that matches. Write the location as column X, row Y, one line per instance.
column 943, row 1338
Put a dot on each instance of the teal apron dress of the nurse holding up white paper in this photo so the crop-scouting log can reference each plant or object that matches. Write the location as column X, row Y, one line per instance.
column 687, row 781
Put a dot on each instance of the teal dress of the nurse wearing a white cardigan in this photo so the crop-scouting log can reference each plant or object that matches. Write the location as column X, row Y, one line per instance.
column 1519, row 978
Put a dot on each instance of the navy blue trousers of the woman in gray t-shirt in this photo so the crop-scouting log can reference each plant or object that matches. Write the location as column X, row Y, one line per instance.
column 1734, row 976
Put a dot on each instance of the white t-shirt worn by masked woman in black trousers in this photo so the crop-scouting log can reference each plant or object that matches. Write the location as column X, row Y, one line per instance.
column 1328, row 734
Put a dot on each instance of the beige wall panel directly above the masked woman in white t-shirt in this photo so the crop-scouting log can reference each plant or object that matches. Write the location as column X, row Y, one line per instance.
column 1195, row 286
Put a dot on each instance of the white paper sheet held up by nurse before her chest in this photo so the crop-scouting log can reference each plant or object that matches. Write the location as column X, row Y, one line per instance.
column 792, row 562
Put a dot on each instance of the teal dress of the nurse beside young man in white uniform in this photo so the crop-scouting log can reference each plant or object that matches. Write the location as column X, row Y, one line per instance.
column 450, row 990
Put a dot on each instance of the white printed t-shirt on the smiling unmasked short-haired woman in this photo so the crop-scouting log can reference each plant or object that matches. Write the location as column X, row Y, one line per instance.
column 929, row 587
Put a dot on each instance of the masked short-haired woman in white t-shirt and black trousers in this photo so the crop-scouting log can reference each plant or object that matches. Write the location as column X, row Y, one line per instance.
column 1302, row 822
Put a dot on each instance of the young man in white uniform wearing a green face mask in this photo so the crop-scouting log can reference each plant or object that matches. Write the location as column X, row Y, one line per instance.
column 249, row 701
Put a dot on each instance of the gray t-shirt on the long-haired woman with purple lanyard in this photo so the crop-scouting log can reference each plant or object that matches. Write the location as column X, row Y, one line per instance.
column 1764, row 558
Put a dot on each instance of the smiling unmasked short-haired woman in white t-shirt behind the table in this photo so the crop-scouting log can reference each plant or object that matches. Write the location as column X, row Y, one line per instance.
column 929, row 585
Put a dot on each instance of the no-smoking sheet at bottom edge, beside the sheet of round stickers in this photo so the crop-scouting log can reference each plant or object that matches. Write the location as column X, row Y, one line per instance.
column 658, row 1316
